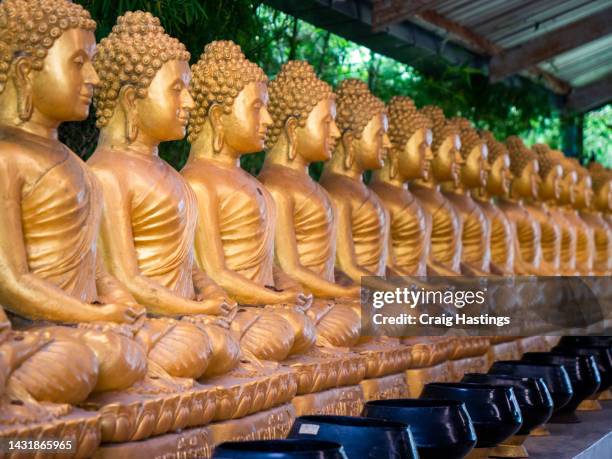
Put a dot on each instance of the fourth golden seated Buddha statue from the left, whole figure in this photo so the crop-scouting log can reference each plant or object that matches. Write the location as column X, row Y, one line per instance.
column 303, row 131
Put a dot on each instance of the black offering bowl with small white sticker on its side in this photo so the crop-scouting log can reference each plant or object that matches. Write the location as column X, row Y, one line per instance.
column 360, row 437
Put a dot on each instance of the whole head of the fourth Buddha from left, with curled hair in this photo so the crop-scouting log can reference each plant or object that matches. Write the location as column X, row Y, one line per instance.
column 303, row 110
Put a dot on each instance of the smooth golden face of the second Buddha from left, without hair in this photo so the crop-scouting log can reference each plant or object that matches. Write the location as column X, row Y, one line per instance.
column 163, row 114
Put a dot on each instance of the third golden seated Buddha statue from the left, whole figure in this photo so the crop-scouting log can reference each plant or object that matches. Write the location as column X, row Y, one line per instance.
column 234, row 240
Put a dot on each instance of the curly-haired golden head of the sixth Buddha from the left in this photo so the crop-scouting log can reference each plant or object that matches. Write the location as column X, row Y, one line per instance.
column 410, row 133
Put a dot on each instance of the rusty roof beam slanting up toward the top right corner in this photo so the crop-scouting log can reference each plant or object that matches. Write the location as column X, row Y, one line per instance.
column 550, row 44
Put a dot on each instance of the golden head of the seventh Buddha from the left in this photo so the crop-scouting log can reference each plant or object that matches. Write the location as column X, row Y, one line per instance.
column 447, row 161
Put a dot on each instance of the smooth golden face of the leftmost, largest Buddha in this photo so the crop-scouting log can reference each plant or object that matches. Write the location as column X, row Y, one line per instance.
column 63, row 89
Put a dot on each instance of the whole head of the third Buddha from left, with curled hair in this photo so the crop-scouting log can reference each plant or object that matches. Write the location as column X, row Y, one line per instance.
column 231, row 98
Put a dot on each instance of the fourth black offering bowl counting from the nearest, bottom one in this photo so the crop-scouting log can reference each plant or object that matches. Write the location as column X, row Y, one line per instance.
column 494, row 410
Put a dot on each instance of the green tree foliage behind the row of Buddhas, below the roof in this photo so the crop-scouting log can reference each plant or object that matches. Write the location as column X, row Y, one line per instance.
column 270, row 38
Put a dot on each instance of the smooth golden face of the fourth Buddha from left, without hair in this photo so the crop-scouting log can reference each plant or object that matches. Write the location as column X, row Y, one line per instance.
column 316, row 140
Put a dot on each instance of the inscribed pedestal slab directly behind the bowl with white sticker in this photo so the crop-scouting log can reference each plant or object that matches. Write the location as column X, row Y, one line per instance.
column 341, row 401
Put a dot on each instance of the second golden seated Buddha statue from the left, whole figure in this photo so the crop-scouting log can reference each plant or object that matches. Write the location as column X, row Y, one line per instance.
column 150, row 213
